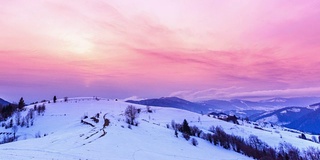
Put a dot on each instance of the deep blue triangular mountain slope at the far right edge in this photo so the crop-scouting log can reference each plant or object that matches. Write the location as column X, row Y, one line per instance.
column 307, row 123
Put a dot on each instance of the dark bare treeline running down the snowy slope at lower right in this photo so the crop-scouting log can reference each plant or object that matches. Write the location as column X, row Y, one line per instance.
column 251, row 147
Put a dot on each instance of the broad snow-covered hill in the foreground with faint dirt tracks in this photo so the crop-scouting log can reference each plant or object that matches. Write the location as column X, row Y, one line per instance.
column 67, row 138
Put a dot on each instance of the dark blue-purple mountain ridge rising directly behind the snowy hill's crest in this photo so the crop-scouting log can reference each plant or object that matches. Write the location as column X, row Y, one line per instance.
column 173, row 102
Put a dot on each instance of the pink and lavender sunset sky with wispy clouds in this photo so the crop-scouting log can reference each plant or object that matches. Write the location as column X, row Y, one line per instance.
column 192, row 49
